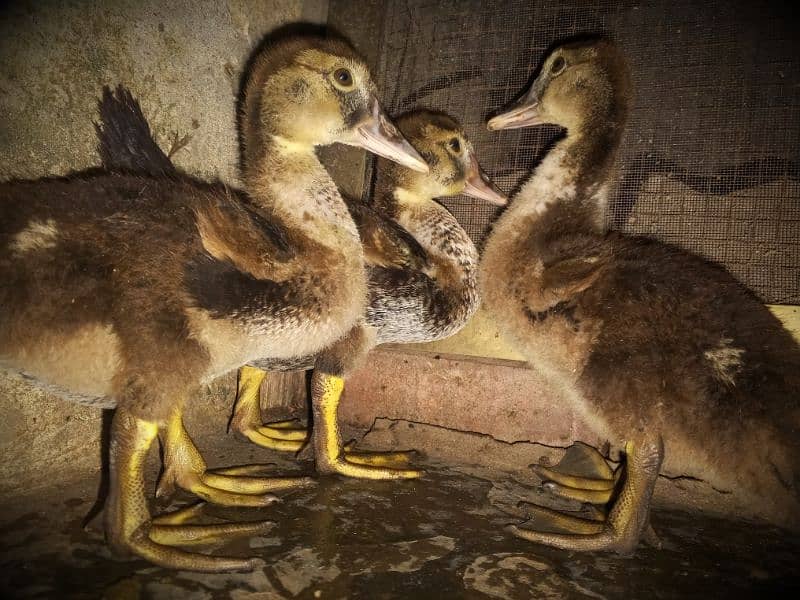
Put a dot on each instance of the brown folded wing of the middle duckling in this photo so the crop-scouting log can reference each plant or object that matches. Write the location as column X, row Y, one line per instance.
column 386, row 244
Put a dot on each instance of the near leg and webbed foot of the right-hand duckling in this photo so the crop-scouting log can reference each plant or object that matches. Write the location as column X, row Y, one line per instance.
column 628, row 519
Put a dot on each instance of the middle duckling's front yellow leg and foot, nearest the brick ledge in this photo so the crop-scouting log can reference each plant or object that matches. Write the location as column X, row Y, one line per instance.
column 326, row 392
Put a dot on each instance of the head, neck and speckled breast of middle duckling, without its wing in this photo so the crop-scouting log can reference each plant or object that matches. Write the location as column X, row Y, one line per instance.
column 436, row 301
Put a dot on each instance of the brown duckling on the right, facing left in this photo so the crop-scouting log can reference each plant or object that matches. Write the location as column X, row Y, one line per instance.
column 658, row 348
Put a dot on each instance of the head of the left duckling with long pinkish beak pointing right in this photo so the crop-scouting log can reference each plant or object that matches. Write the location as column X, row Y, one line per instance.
column 304, row 92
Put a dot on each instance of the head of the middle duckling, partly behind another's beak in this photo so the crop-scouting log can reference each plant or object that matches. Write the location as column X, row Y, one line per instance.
column 454, row 167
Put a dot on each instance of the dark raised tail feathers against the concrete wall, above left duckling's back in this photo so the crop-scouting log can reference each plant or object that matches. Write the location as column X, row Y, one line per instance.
column 125, row 142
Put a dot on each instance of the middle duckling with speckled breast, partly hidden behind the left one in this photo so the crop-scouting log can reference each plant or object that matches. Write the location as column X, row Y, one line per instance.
column 421, row 265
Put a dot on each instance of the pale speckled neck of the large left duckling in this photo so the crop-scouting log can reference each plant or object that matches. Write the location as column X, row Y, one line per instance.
column 290, row 180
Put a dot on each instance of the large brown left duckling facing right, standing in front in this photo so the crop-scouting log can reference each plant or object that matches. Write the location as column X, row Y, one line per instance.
column 131, row 291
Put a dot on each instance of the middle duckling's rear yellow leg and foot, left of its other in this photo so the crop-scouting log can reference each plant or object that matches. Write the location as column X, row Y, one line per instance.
column 247, row 416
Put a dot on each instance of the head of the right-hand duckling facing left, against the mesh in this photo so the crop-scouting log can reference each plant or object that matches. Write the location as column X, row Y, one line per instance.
column 581, row 84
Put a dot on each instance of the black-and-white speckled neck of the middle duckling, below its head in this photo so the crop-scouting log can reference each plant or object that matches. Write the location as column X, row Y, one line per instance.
column 437, row 231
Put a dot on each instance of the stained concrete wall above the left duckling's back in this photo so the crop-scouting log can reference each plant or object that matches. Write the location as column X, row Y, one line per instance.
column 182, row 59
